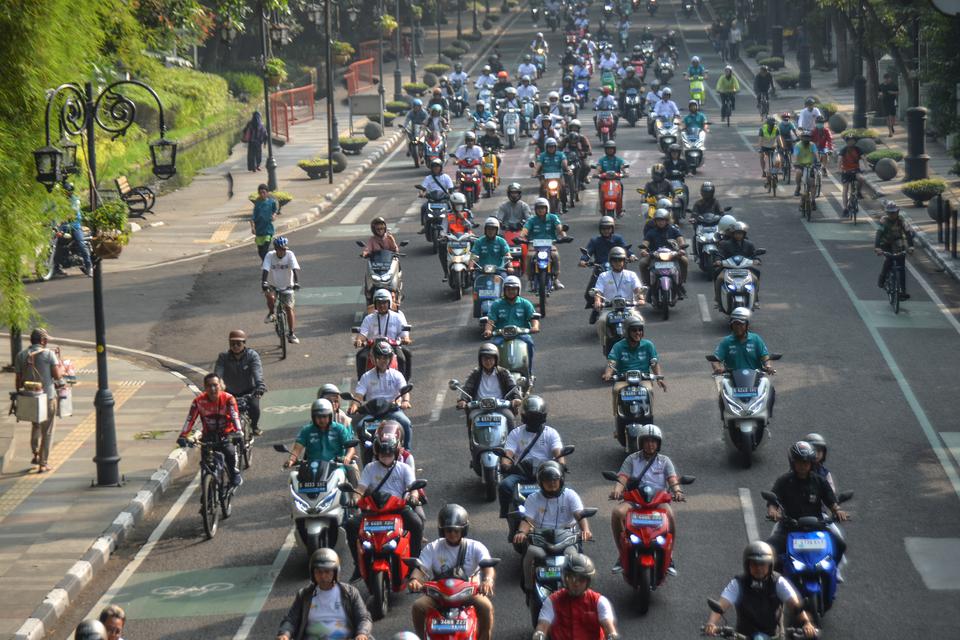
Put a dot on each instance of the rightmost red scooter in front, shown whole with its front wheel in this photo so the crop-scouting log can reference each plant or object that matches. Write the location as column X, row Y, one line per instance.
column 646, row 545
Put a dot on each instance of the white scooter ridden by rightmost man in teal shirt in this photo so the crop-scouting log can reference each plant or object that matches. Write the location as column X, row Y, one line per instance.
column 745, row 401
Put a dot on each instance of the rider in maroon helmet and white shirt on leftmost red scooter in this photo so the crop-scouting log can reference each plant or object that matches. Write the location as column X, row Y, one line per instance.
column 388, row 474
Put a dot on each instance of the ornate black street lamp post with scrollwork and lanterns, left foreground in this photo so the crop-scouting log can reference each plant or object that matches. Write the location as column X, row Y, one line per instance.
column 80, row 114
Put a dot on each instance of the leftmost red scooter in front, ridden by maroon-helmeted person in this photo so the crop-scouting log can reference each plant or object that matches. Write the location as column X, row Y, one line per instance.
column 384, row 546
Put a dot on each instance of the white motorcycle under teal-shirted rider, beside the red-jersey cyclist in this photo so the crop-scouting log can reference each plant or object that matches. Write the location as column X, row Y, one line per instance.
column 316, row 502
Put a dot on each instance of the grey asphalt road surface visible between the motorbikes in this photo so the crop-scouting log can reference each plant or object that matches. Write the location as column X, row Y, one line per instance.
column 873, row 384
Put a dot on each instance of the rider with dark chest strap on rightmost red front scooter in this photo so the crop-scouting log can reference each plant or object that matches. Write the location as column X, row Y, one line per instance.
column 651, row 467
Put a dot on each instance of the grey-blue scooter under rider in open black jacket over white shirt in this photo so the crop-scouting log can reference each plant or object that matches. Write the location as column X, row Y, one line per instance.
column 487, row 425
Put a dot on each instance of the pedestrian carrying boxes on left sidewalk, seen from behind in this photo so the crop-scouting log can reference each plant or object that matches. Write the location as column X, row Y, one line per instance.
column 39, row 364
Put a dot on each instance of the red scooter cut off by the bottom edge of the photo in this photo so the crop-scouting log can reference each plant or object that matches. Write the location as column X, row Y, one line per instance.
column 450, row 618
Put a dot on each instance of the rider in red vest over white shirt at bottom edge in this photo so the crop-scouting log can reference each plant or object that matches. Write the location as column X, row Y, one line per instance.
column 576, row 611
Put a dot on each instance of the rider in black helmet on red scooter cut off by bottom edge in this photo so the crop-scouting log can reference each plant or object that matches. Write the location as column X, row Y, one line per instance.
column 453, row 554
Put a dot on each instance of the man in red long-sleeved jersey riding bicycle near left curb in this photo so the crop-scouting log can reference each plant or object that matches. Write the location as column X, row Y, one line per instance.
column 219, row 423
